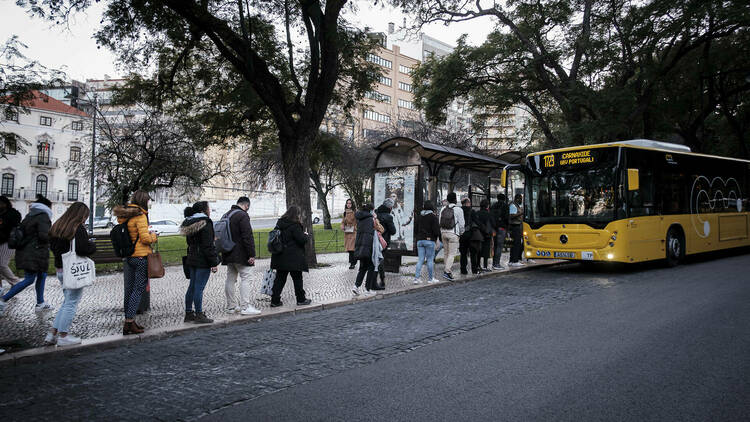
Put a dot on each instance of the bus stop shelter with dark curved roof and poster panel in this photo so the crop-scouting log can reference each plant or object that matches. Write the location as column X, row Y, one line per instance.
column 410, row 171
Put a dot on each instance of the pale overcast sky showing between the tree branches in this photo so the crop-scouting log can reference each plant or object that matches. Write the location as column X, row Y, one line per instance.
column 74, row 50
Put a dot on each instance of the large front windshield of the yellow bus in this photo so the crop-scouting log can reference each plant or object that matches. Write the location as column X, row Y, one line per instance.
column 575, row 195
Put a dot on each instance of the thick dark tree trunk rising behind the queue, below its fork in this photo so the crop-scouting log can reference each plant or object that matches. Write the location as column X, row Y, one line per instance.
column 295, row 155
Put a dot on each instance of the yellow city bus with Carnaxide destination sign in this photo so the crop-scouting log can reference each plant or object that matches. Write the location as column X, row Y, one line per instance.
column 633, row 201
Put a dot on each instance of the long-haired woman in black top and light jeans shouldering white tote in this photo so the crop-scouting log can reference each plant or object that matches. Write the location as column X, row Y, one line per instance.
column 69, row 226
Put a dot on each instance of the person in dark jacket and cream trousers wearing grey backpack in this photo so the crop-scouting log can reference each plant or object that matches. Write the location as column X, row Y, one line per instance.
column 240, row 259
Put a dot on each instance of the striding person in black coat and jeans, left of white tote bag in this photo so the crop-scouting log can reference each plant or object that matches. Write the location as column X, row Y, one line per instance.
column 32, row 256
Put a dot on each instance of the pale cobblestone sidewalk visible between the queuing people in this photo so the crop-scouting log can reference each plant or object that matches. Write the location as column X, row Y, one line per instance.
column 100, row 311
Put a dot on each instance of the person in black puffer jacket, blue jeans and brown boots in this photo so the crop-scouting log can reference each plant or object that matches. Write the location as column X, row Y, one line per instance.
column 202, row 259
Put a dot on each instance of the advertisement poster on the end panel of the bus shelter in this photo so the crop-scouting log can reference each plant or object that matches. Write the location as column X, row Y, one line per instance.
column 399, row 184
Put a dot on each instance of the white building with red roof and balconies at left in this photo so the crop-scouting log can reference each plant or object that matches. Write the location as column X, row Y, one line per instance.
column 56, row 134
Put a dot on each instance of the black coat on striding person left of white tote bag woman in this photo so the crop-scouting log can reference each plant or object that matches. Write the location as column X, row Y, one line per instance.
column 33, row 256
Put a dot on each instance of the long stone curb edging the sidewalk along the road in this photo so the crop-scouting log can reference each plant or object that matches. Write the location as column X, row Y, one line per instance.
column 115, row 340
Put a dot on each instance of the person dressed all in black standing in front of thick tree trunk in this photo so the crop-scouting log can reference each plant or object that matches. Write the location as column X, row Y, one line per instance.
column 291, row 259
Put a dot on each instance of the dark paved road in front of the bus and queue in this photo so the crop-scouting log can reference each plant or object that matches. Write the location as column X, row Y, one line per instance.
column 567, row 343
